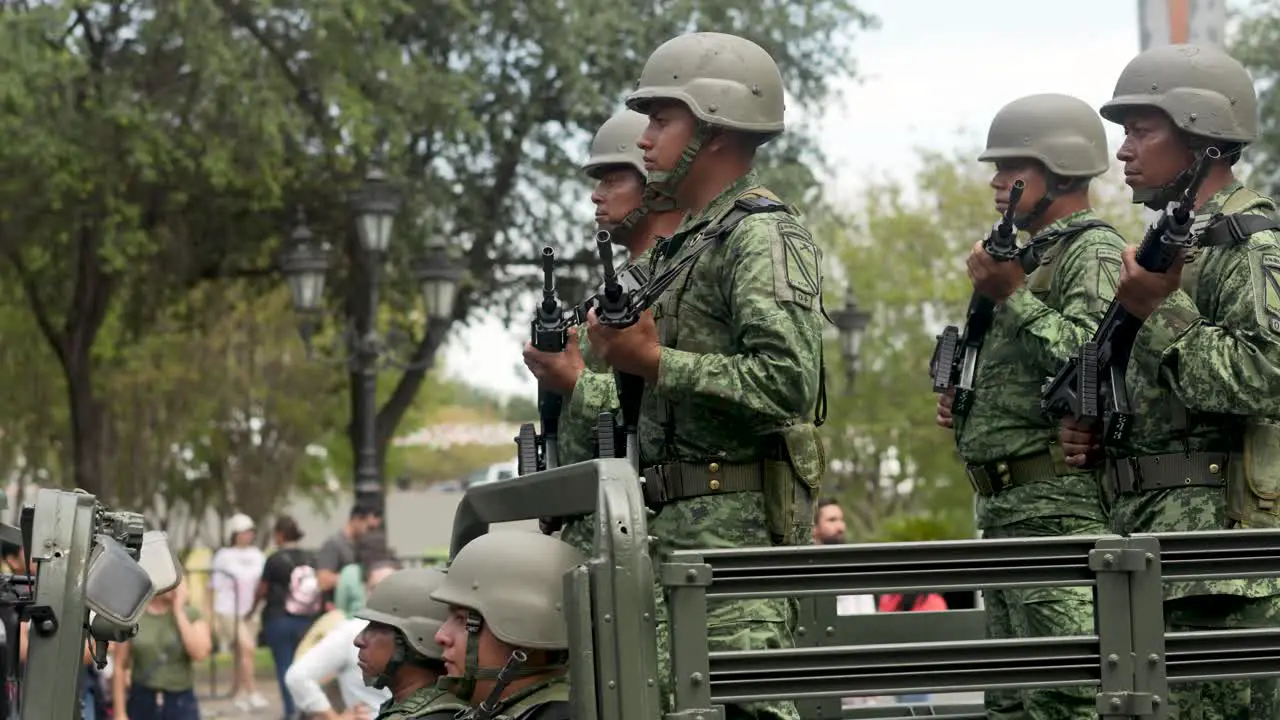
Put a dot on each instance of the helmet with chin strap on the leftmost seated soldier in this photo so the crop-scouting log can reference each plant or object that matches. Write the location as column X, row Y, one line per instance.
column 404, row 603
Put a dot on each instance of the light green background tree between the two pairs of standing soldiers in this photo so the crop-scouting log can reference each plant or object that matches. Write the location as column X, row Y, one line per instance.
column 906, row 259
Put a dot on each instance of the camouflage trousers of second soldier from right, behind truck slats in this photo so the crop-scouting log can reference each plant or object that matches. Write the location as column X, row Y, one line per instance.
column 1037, row 613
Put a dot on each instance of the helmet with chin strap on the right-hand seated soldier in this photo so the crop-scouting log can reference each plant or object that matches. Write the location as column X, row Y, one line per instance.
column 514, row 584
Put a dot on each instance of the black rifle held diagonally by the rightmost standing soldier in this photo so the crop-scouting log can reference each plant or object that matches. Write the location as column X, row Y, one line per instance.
column 1091, row 386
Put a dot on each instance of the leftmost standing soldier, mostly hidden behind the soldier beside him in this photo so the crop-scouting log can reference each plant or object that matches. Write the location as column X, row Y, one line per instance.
column 636, row 222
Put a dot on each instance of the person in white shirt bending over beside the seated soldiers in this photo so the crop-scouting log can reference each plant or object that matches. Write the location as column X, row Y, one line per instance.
column 336, row 657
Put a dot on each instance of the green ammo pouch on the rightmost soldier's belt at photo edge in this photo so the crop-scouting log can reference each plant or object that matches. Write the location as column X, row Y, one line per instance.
column 1254, row 477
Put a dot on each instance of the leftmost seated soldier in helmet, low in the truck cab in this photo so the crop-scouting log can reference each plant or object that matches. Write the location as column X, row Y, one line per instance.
column 397, row 649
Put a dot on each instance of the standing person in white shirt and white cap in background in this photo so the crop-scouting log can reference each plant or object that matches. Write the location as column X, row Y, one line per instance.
column 234, row 580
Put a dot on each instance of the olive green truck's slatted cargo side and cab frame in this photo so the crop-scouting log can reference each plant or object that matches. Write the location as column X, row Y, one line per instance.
column 1131, row 659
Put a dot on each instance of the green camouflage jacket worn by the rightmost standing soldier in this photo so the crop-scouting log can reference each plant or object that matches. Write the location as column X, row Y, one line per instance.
column 1213, row 349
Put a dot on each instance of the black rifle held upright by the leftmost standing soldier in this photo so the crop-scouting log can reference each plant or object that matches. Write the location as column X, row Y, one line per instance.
column 550, row 334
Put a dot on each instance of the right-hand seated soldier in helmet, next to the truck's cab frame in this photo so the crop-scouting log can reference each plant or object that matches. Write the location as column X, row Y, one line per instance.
column 506, row 642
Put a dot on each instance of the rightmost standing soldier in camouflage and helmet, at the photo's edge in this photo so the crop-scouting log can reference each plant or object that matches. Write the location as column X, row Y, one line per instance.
column 1205, row 373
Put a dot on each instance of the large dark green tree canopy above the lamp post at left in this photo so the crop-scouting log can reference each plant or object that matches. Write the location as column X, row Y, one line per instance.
column 156, row 147
